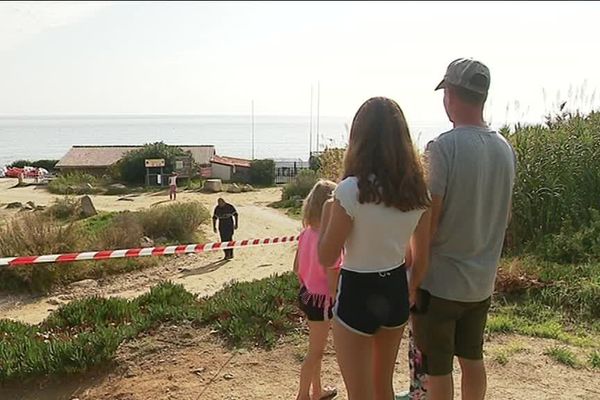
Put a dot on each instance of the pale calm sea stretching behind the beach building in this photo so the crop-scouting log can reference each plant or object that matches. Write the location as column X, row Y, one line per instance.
column 277, row 137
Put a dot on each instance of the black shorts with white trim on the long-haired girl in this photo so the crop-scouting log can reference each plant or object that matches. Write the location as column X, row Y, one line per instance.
column 369, row 301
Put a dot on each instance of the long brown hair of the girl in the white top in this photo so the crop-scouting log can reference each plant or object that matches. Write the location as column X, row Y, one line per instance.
column 381, row 155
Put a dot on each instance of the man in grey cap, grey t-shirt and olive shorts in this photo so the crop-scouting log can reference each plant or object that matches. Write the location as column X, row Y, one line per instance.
column 471, row 177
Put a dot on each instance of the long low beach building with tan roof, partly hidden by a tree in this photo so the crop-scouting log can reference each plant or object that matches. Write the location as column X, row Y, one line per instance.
column 97, row 160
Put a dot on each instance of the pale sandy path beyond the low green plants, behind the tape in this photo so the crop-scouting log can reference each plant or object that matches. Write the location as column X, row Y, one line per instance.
column 202, row 274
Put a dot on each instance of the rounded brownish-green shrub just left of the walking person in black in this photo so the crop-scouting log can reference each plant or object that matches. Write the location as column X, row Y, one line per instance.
column 178, row 222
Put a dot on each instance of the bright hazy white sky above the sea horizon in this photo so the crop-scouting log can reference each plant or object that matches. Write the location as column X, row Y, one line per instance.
column 215, row 58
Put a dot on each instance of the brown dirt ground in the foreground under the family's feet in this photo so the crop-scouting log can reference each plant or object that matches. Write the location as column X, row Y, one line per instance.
column 184, row 363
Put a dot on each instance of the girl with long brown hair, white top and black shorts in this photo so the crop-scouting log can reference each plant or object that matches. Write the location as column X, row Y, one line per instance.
column 380, row 207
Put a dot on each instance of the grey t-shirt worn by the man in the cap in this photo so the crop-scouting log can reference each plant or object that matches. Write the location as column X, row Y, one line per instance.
column 473, row 169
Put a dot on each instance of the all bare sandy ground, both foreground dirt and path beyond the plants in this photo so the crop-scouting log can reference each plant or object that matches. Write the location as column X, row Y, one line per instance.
column 181, row 362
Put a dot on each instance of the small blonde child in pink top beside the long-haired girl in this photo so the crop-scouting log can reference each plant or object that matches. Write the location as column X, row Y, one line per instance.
column 317, row 291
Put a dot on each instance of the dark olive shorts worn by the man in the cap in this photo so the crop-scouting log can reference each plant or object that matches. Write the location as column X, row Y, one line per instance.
column 446, row 328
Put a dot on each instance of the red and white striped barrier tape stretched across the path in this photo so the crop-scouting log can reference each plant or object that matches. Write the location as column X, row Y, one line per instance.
column 143, row 252
